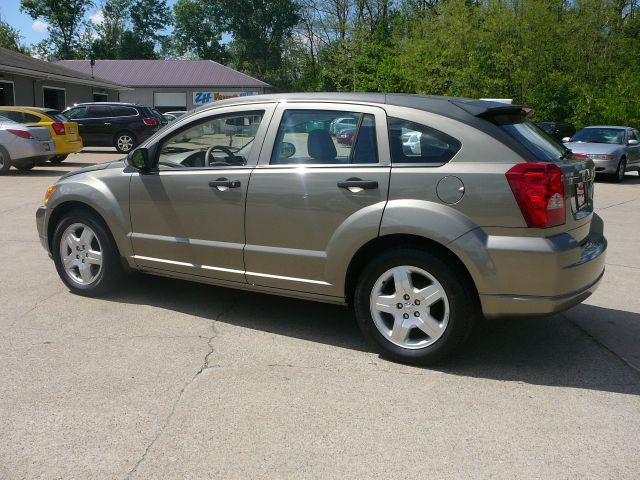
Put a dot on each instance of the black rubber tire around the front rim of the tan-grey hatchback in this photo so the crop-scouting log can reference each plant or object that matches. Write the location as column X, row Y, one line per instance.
column 111, row 272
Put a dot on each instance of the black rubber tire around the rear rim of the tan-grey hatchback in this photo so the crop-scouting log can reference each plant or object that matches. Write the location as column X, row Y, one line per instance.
column 462, row 300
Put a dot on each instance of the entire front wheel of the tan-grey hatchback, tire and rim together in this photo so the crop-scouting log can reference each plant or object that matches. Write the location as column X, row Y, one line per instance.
column 85, row 254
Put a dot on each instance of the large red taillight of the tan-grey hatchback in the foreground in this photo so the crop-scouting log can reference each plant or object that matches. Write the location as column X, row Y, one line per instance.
column 539, row 191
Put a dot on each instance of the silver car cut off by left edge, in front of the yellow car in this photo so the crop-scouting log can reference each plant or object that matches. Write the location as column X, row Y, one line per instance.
column 23, row 147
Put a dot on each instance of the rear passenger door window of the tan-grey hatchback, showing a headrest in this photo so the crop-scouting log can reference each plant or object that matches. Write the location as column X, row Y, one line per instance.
column 325, row 137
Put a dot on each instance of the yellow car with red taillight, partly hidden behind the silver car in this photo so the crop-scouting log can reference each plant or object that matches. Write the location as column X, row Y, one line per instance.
column 64, row 133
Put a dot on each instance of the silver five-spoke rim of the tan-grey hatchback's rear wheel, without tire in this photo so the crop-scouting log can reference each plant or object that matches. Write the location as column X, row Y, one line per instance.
column 409, row 307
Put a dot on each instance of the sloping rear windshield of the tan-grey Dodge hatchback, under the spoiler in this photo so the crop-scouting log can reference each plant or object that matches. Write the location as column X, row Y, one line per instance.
column 533, row 138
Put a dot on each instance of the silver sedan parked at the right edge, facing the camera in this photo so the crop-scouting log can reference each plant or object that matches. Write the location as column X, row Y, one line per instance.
column 614, row 150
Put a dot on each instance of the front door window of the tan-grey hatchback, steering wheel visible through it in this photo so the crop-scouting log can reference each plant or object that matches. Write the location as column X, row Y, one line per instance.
column 221, row 141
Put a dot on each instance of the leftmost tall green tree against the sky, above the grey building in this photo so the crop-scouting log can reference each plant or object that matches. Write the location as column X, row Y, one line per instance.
column 66, row 23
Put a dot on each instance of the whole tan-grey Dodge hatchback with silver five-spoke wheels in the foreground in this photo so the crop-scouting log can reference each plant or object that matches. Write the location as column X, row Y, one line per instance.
column 421, row 250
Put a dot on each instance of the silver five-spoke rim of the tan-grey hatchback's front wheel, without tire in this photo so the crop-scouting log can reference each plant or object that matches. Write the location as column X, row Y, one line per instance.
column 81, row 254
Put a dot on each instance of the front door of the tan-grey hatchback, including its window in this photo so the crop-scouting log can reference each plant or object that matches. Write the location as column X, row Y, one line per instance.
column 187, row 213
